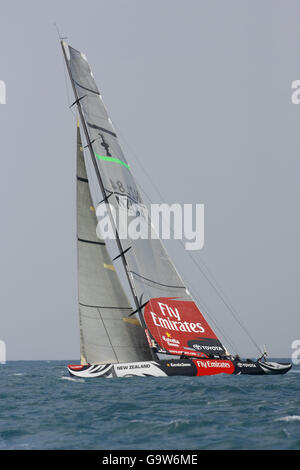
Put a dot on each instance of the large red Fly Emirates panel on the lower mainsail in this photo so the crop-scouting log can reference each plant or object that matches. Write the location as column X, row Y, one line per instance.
column 173, row 322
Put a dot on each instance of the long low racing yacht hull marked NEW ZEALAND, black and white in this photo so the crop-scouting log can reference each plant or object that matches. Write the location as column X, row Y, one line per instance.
column 185, row 367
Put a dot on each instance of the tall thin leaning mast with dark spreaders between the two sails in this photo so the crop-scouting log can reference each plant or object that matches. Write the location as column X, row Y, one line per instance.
column 105, row 198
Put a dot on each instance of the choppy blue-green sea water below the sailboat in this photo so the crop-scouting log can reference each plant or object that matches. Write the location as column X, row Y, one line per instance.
column 41, row 407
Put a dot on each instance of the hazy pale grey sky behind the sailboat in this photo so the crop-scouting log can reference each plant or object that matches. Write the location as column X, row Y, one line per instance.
column 218, row 74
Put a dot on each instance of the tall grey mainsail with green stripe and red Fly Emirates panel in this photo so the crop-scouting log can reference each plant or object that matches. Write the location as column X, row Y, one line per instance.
column 171, row 318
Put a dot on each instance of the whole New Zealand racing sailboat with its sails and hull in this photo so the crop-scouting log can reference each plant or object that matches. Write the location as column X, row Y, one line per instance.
column 144, row 321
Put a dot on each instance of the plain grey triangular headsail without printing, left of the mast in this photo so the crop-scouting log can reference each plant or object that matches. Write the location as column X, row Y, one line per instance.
column 106, row 332
